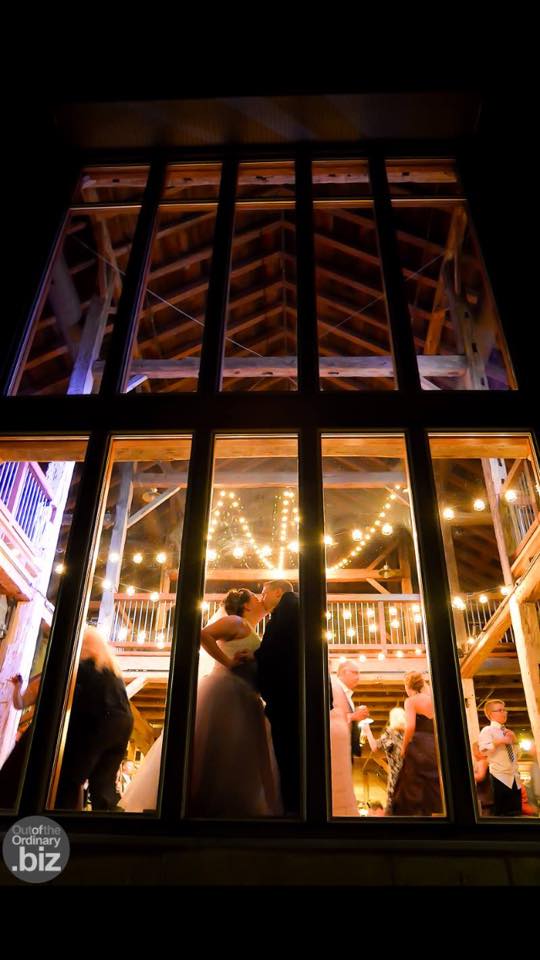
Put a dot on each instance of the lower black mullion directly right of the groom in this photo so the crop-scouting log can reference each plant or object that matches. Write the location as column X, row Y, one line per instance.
column 312, row 606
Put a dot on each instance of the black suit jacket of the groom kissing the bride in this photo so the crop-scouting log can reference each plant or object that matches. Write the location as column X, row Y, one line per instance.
column 277, row 657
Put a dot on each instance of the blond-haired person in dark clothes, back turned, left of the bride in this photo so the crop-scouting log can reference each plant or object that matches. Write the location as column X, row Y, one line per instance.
column 99, row 729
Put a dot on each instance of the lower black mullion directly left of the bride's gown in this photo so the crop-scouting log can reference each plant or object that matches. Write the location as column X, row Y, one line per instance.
column 186, row 630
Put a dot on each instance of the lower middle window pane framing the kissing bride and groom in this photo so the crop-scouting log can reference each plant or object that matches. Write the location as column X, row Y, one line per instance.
column 245, row 757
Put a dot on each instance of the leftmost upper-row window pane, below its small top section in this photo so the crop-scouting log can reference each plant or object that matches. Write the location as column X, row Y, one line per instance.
column 72, row 329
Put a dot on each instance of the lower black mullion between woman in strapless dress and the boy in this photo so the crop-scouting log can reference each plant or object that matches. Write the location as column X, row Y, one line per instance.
column 448, row 699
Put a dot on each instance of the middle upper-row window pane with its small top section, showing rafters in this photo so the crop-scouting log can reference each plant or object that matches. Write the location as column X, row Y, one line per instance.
column 260, row 343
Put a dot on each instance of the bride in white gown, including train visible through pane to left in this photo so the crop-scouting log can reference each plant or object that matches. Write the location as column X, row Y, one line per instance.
column 234, row 770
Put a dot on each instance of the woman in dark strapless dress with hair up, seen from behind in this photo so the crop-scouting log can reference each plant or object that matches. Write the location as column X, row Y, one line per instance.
column 417, row 791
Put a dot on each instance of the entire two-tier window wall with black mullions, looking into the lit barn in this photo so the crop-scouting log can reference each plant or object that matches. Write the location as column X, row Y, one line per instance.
column 316, row 279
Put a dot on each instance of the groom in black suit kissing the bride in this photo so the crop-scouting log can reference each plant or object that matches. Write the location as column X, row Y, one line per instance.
column 278, row 673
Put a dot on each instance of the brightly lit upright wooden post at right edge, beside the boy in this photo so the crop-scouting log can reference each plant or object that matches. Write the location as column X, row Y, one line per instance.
column 527, row 633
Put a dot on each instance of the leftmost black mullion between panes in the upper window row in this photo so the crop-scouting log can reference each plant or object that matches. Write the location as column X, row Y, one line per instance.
column 118, row 359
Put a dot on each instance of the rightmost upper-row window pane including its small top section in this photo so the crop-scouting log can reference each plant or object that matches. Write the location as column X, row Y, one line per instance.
column 458, row 337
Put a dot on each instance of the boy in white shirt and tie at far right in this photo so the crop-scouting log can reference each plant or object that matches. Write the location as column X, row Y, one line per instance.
column 499, row 745
